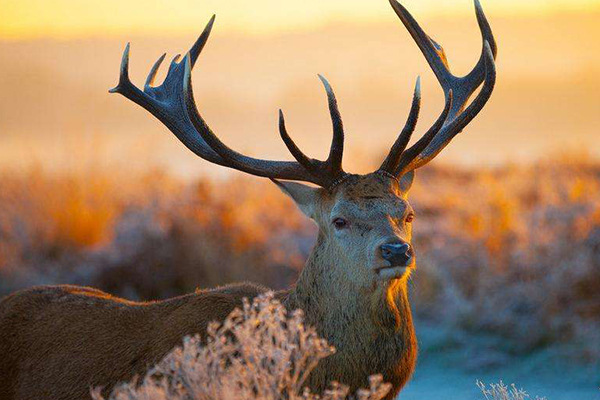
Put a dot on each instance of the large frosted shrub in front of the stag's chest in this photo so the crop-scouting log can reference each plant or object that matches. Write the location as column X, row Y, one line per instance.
column 259, row 352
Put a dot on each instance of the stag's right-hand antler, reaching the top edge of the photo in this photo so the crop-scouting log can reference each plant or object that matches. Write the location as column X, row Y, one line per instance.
column 457, row 90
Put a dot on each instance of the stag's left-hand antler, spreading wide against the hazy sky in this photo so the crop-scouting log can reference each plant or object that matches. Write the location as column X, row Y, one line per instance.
column 173, row 104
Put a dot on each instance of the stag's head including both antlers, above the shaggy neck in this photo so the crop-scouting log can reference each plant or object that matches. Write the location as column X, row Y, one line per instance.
column 365, row 221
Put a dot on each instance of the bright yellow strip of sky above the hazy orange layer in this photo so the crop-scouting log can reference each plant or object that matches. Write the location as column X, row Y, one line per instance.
column 76, row 18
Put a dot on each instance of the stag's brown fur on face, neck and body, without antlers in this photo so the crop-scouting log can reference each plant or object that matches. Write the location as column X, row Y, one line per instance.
column 57, row 342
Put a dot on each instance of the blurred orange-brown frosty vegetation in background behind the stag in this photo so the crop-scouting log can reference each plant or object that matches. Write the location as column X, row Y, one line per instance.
column 518, row 256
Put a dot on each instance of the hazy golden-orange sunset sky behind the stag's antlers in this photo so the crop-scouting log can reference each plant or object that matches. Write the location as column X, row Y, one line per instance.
column 55, row 88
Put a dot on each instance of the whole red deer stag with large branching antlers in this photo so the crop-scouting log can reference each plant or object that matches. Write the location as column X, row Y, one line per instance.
column 57, row 342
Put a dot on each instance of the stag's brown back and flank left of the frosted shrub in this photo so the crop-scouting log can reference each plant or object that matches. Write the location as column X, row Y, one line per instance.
column 57, row 342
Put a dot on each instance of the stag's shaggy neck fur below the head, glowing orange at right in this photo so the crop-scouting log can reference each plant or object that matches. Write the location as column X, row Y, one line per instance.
column 371, row 328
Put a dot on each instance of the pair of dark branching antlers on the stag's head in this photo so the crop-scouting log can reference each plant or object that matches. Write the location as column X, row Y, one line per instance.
column 173, row 104
